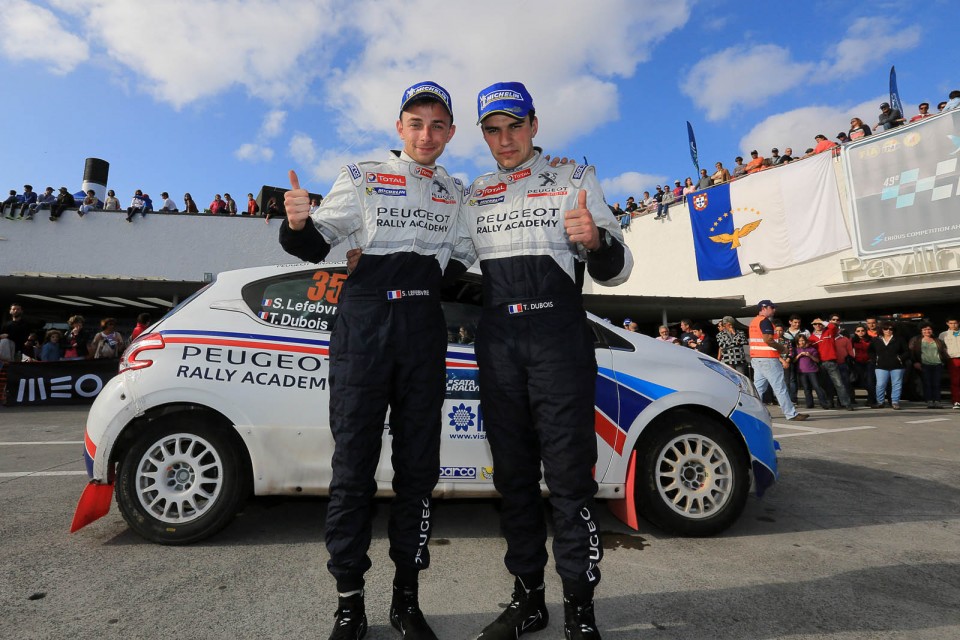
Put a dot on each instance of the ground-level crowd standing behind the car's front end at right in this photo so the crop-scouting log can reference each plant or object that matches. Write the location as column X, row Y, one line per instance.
column 885, row 359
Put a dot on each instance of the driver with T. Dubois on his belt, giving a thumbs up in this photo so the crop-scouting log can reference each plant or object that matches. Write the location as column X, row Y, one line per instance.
column 535, row 228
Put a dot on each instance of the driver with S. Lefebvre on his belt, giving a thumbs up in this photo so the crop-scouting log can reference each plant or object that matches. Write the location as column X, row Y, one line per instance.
column 387, row 348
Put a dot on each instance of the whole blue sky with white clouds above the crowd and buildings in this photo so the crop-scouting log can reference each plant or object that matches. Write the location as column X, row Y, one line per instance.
column 209, row 96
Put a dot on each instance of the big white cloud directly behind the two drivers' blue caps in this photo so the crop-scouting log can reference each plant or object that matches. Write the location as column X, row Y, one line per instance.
column 568, row 56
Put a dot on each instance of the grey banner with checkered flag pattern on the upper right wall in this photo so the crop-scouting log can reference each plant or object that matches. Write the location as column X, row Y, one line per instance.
column 903, row 186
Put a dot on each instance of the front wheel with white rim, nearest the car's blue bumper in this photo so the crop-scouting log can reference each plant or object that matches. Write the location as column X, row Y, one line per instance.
column 692, row 477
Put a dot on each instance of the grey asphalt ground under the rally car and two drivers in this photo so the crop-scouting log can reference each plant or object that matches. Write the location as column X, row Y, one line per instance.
column 860, row 539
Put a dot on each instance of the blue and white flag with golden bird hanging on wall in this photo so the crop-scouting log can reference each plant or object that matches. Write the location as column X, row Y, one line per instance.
column 777, row 218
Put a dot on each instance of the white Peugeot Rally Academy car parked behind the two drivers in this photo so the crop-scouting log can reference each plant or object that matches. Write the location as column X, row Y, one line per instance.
column 228, row 395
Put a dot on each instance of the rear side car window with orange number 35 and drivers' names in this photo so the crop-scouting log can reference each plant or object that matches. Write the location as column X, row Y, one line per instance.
column 302, row 300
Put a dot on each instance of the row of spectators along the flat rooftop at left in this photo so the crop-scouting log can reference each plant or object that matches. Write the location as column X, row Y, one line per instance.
column 24, row 206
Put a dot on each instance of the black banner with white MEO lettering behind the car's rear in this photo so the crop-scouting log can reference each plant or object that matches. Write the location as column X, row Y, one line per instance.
column 63, row 382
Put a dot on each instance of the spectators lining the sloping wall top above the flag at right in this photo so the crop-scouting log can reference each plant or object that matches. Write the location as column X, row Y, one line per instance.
column 664, row 196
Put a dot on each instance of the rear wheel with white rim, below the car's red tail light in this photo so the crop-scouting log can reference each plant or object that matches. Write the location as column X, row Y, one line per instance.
column 181, row 481
